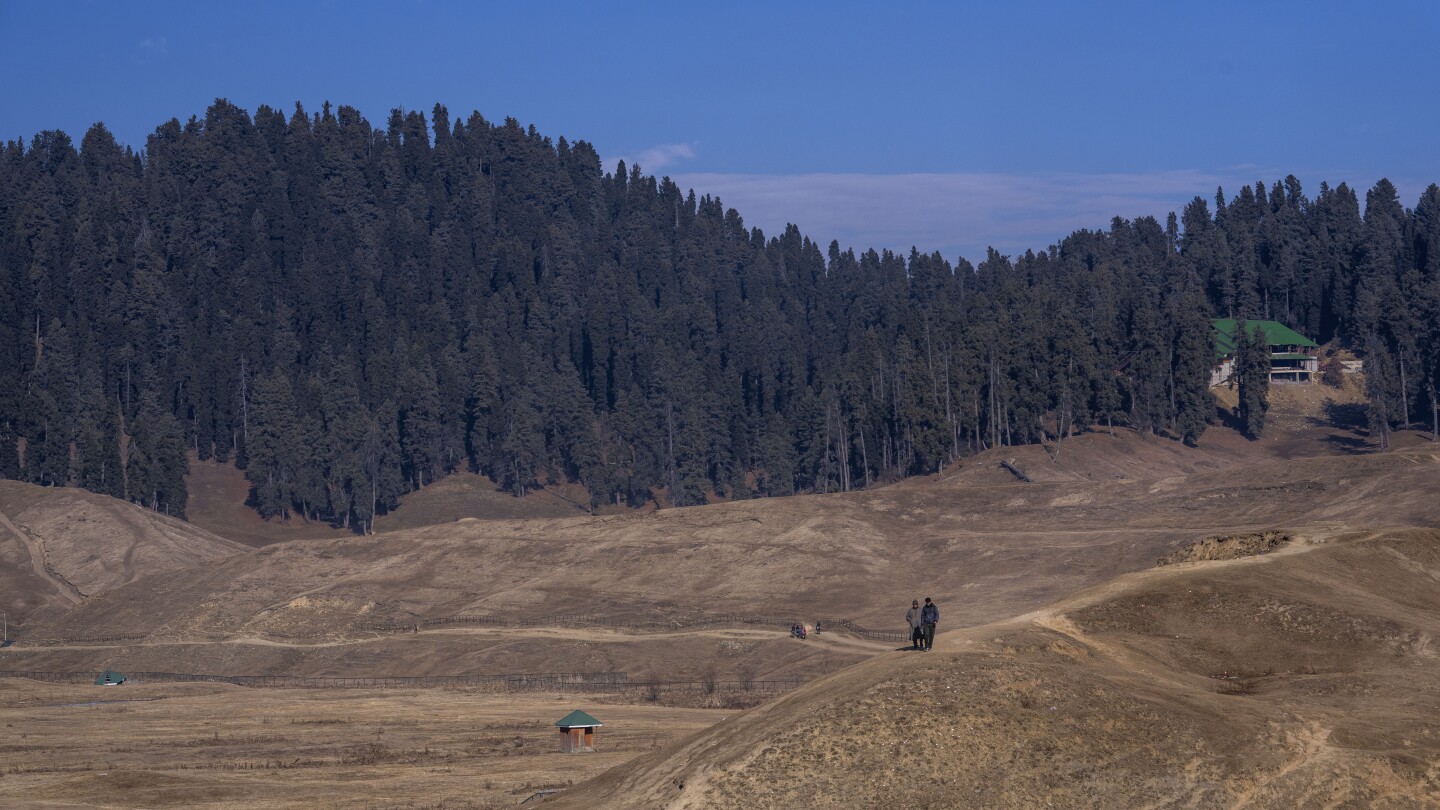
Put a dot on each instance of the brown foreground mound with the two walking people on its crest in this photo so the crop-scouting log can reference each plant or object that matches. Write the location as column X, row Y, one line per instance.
column 1298, row 680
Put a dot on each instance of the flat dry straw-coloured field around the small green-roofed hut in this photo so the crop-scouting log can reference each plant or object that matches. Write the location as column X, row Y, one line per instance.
column 218, row 747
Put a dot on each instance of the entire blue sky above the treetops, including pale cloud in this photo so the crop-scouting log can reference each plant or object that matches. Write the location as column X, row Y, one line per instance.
column 944, row 126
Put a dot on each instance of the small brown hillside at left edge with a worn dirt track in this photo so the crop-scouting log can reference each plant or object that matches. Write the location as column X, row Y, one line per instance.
column 61, row 546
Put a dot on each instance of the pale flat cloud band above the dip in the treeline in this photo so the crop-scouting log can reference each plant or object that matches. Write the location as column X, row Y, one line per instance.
column 964, row 214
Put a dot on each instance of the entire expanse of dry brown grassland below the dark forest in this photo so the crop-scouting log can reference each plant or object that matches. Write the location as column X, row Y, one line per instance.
column 1242, row 625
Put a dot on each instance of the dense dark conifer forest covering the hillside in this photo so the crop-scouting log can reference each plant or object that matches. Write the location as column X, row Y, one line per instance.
column 351, row 313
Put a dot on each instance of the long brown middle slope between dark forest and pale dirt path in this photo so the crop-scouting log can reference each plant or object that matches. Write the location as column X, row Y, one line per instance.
column 986, row 553
